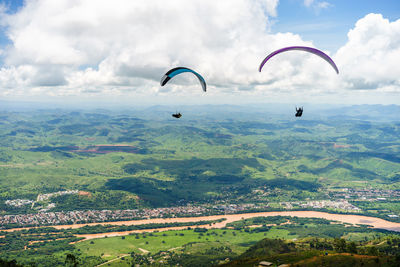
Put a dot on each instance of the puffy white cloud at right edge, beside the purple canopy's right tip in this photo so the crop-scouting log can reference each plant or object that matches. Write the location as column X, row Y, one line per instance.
column 370, row 58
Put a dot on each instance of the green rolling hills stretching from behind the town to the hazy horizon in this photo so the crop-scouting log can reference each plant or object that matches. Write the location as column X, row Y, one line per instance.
column 167, row 162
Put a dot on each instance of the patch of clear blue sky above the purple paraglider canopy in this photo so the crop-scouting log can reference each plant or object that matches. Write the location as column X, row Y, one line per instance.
column 328, row 27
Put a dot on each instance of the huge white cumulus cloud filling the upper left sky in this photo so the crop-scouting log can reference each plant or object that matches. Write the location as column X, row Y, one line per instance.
column 85, row 43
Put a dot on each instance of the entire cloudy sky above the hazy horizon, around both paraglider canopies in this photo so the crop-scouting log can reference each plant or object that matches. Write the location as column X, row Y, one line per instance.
column 117, row 51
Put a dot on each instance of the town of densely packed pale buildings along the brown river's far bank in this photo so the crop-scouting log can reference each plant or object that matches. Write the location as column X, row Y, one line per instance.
column 338, row 203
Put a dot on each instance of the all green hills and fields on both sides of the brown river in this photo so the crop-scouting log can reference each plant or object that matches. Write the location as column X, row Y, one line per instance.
column 212, row 157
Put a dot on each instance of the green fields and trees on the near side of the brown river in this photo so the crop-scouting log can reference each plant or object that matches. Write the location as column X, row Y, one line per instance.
column 287, row 239
